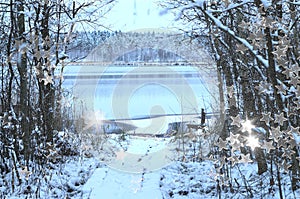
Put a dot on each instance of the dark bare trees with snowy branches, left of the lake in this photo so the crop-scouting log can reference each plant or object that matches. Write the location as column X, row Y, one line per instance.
column 35, row 36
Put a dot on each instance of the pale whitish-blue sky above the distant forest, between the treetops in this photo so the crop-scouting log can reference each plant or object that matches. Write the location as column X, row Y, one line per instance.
column 129, row 15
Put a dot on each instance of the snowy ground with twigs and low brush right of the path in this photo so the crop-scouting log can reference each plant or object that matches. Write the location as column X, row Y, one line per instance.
column 197, row 180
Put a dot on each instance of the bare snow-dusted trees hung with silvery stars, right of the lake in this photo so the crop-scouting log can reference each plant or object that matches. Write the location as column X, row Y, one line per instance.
column 256, row 48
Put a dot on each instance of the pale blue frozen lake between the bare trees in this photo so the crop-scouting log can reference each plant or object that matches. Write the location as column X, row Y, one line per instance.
column 148, row 97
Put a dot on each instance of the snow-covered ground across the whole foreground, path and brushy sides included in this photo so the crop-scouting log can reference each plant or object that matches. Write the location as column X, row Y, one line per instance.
column 87, row 178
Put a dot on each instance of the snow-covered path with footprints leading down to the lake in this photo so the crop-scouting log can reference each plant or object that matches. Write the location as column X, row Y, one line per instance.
column 133, row 174
